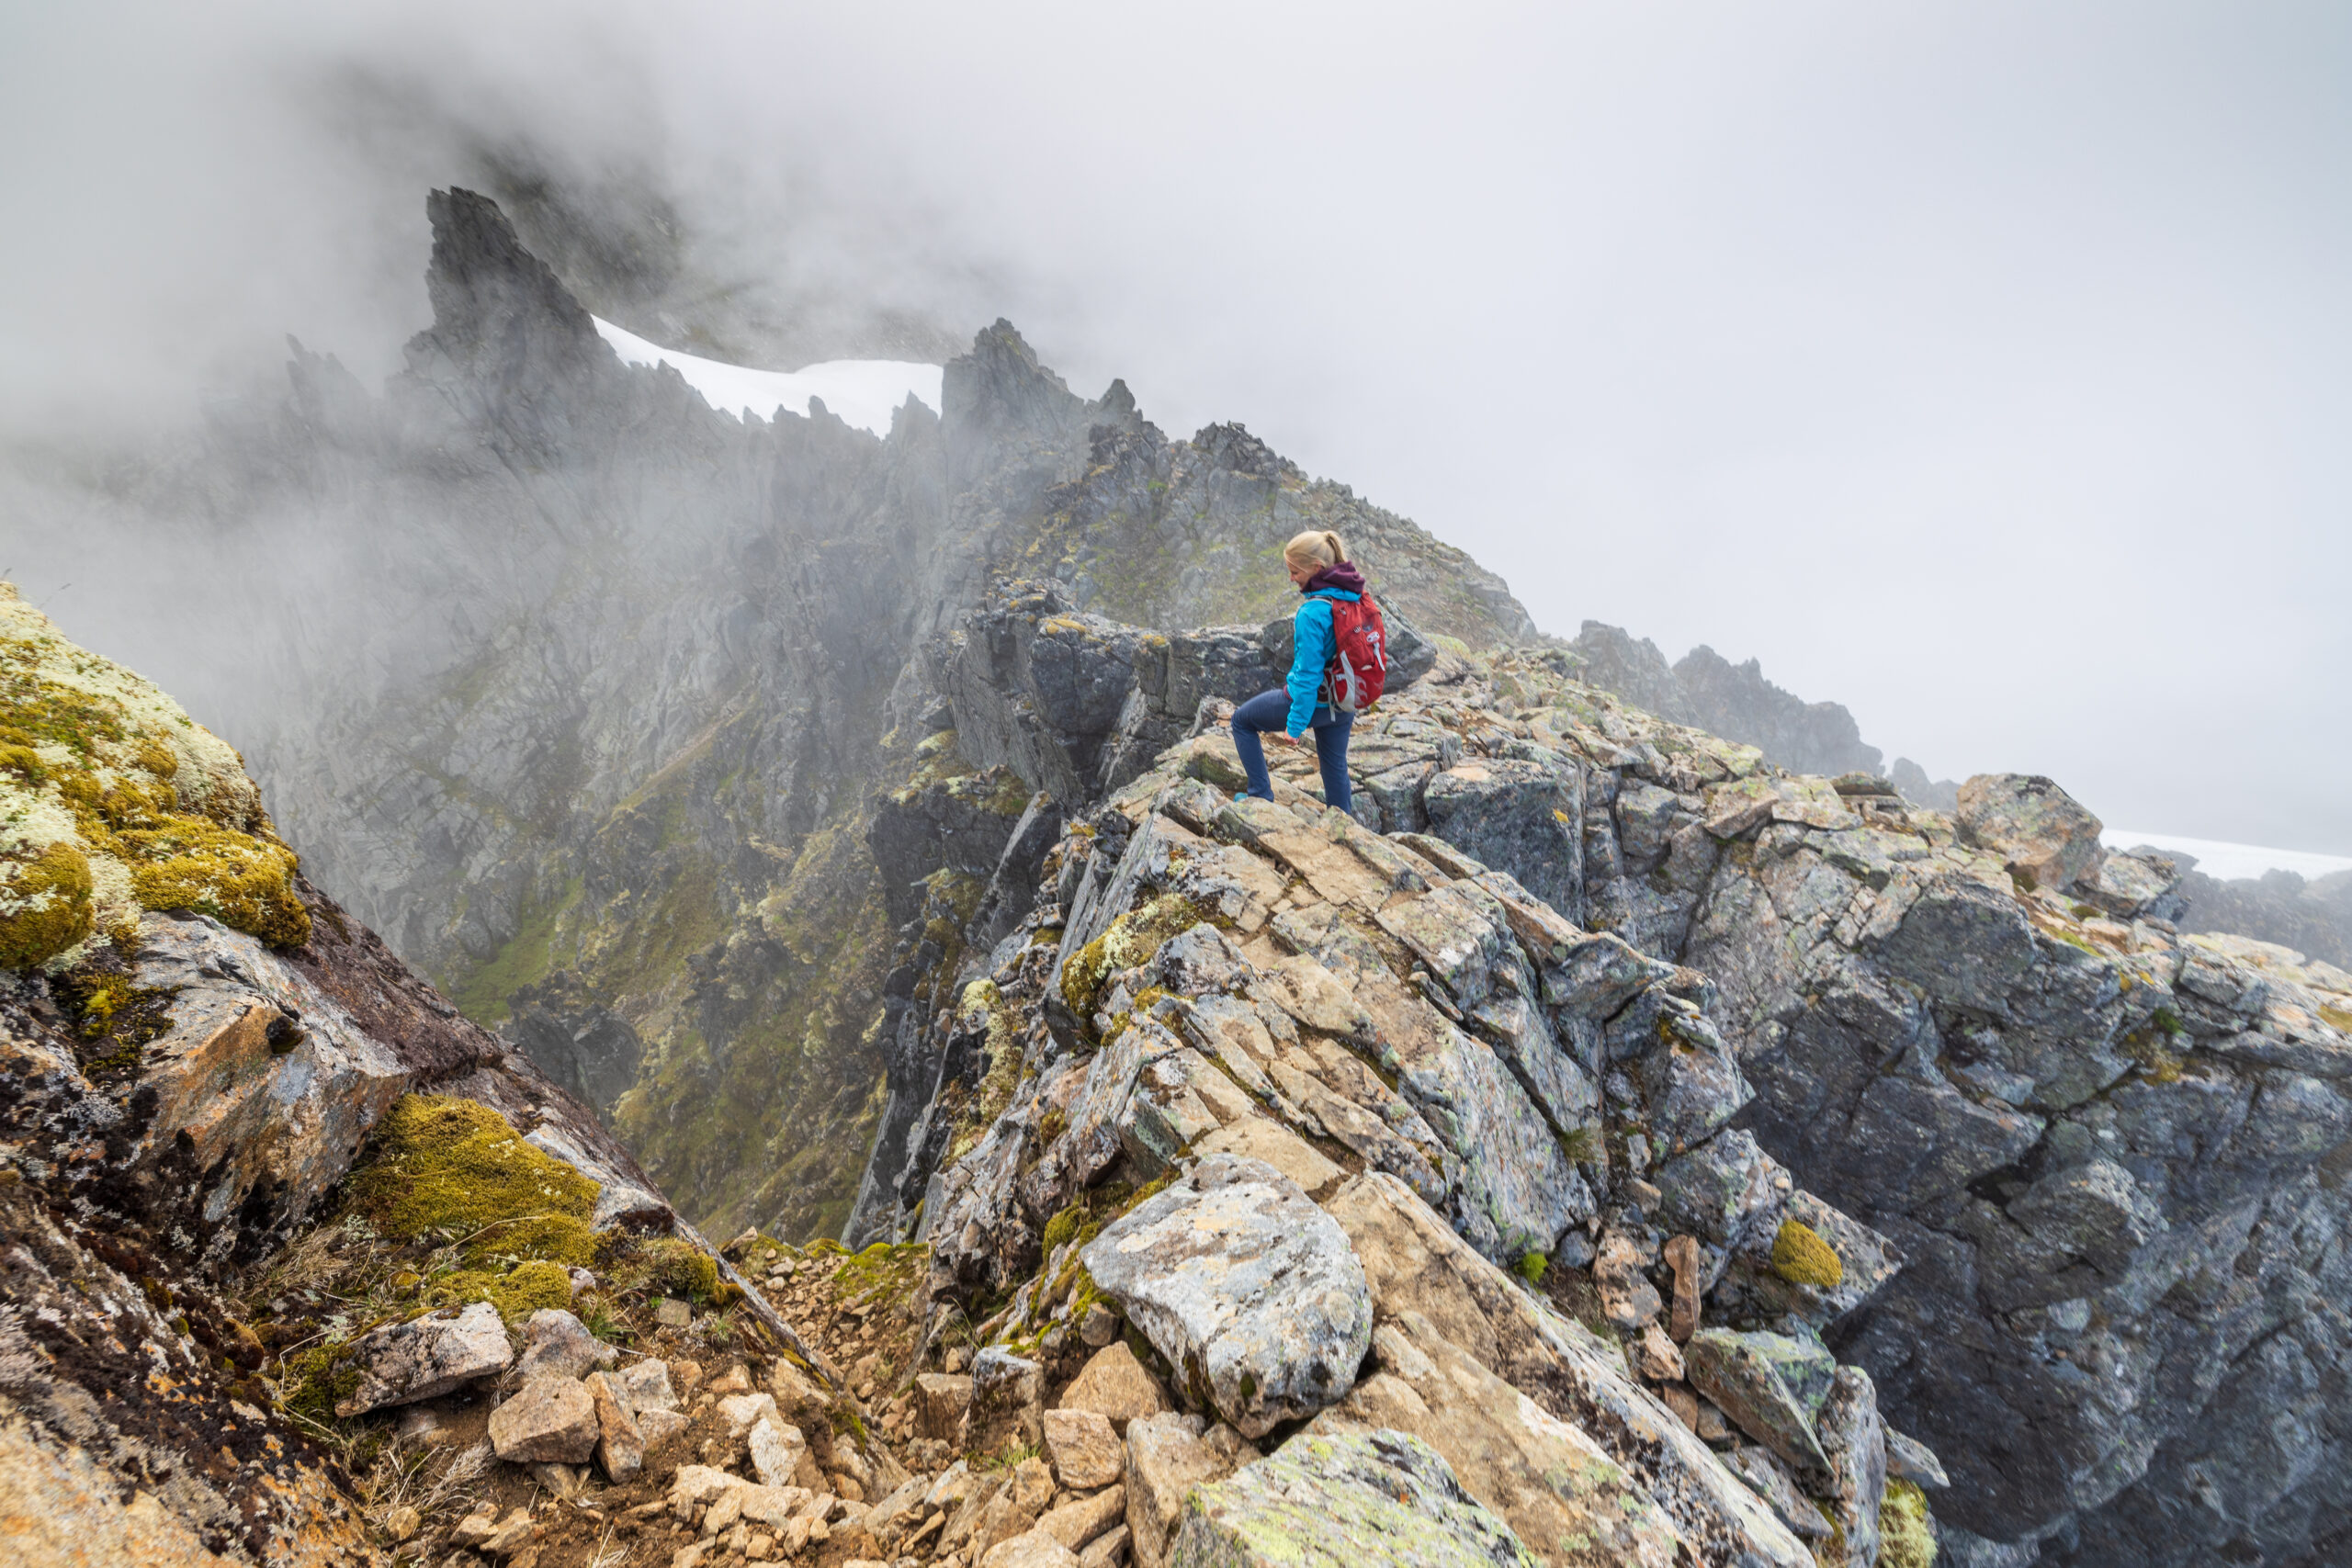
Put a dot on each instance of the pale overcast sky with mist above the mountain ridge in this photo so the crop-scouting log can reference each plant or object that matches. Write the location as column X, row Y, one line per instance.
column 1984, row 368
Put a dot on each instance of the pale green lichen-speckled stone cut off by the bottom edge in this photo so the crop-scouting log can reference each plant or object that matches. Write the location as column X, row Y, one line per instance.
column 1358, row 1501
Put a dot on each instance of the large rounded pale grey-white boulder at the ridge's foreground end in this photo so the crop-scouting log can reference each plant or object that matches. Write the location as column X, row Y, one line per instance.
column 1236, row 1273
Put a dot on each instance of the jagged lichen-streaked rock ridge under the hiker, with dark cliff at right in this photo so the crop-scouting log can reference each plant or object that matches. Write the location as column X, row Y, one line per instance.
column 2087, row 1172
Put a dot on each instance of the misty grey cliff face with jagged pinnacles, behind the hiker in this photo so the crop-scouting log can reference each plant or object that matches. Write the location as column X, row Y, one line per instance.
column 603, row 737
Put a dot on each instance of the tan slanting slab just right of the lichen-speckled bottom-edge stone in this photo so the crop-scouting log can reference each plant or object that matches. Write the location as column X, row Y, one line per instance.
column 1542, row 1475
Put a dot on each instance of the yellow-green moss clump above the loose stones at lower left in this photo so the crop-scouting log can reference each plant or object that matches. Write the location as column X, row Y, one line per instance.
column 457, row 1170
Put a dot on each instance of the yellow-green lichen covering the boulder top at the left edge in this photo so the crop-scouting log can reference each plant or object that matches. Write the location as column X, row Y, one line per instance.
column 114, row 800
